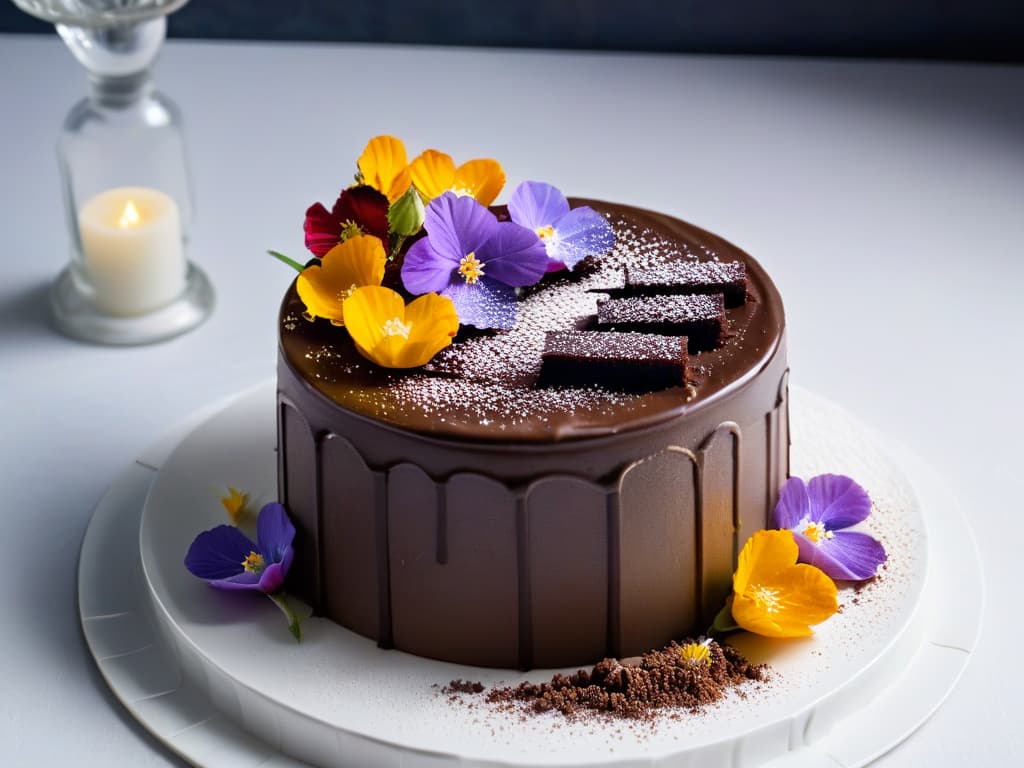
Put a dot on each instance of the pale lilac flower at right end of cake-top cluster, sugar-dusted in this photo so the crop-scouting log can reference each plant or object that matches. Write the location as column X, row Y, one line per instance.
column 570, row 235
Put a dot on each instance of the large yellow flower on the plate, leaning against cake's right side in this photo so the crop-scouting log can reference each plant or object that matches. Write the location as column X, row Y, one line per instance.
column 775, row 596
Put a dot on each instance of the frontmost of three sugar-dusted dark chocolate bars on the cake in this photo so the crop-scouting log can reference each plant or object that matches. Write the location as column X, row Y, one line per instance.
column 617, row 361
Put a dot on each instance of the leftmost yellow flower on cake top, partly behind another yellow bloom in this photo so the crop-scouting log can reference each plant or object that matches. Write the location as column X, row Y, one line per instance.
column 325, row 287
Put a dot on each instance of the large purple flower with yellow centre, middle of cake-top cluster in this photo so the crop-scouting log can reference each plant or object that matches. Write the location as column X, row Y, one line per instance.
column 475, row 260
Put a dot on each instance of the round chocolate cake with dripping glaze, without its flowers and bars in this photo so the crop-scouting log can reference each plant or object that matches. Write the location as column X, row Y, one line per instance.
column 464, row 513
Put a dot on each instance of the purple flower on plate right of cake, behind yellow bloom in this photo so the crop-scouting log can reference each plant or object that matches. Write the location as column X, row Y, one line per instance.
column 819, row 514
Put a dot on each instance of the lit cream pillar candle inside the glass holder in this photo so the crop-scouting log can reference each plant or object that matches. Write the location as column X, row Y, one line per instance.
column 132, row 246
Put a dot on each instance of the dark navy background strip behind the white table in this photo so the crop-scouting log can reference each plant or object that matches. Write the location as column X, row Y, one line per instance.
column 980, row 31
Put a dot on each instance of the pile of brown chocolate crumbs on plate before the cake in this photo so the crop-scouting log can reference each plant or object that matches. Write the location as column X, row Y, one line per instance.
column 636, row 689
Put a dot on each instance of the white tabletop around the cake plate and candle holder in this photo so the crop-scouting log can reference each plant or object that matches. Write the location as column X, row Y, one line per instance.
column 886, row 199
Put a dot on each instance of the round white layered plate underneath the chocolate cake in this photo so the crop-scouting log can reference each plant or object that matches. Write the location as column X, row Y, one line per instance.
column 205, row 670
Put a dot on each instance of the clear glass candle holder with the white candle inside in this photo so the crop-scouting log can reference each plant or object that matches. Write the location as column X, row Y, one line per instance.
column 126, row 184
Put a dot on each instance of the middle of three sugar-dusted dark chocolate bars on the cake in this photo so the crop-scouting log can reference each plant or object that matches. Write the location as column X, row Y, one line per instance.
column 700, row 318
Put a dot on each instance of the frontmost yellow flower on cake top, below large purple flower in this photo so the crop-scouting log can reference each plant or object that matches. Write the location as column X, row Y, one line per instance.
column 394, row 335
